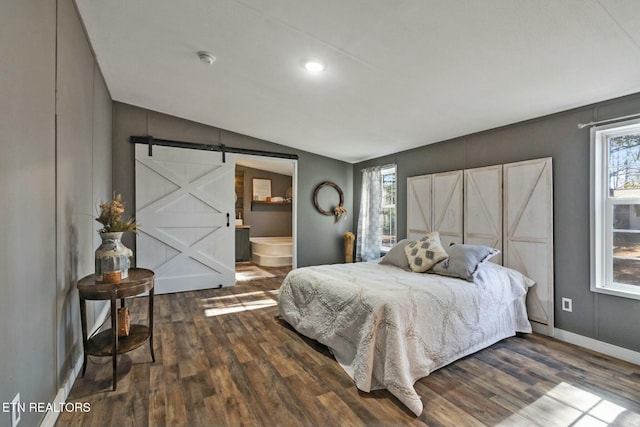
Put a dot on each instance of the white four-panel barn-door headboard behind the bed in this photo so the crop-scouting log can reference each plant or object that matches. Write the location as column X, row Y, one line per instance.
column 509, row 207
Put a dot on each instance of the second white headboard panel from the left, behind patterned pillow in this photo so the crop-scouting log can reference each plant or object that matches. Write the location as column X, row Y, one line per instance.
column 447, row 206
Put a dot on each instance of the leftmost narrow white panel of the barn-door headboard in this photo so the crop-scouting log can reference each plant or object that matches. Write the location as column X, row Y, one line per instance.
column 418, row 206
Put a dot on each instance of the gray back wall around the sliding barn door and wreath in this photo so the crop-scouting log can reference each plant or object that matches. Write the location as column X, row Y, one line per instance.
column 319, row 239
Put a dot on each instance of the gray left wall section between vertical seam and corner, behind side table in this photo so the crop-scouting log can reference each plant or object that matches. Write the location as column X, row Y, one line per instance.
column 83, row 177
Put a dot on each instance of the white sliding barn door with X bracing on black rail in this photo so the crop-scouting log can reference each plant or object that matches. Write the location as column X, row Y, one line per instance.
column 184, row 205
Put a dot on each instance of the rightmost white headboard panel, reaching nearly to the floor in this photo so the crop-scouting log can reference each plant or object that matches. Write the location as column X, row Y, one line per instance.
column 528, row 233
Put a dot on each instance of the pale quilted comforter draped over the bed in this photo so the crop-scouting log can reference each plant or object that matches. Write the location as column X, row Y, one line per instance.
column 388, row 327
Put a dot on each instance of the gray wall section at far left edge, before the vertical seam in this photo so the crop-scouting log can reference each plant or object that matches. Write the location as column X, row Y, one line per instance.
column 27, row 197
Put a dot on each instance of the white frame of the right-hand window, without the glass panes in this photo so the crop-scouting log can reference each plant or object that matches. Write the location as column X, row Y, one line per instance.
column 601, row 212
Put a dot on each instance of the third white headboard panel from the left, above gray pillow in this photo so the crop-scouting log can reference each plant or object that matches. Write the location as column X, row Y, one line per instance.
column 483, row 208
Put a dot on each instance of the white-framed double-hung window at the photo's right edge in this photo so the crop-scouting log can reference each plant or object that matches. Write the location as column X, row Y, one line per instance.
column 615, row 209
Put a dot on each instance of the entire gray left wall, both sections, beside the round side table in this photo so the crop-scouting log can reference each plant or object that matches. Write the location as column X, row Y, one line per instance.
column 55, row 164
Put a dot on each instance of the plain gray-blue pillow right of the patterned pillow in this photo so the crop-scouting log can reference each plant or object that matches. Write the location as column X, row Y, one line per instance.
column 464, row 261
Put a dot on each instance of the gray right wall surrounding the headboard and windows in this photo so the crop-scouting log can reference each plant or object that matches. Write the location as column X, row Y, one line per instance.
column 602, row 317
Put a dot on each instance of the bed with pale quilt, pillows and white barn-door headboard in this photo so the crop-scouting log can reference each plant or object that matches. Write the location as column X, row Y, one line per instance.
column 392, row 322
